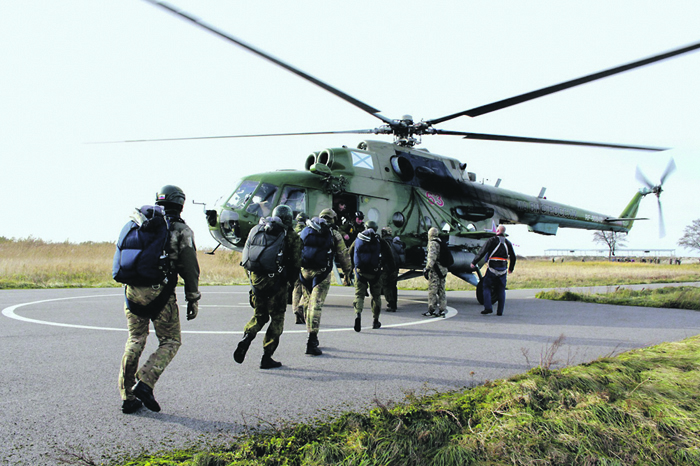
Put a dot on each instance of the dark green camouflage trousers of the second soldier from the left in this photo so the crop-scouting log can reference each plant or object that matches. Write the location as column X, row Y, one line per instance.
column 270, row 305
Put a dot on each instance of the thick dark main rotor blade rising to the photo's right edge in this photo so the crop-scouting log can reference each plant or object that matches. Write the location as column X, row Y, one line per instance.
column 474, row 112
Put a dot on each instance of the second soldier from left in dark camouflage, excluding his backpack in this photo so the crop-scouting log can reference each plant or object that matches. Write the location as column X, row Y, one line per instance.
column 270, row 295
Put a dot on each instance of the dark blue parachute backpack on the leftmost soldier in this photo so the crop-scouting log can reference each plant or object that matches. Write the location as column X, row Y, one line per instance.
column 141, row 257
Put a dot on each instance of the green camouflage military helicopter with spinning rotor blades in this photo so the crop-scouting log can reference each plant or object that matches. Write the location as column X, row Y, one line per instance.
column 407, row 187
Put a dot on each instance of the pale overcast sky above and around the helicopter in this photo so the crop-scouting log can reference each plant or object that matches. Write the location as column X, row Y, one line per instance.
column 96, row 70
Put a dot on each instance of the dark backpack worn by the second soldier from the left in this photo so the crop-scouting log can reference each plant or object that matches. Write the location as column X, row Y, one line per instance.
column 264, row 249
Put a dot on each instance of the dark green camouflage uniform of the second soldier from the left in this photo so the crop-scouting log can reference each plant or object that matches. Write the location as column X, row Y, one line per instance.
column 270, row 295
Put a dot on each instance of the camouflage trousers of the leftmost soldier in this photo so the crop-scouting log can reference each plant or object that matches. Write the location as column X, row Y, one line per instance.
column 167, row 328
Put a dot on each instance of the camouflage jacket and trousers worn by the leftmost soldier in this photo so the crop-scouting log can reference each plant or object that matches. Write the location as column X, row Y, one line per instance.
column 183, row 257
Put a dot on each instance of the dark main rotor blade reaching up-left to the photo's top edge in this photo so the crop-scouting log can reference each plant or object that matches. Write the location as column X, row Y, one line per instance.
column 361, row 105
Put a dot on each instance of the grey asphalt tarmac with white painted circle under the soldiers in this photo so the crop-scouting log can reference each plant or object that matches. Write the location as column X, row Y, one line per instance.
column 61, row 351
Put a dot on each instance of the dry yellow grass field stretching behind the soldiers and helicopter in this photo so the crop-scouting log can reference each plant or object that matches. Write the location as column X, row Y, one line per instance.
column 32, row 263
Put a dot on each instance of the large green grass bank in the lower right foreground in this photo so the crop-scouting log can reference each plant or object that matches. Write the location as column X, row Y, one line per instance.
column 638, row 408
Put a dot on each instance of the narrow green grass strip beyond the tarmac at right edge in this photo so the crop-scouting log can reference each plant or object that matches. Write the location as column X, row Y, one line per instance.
column 682, row 297
